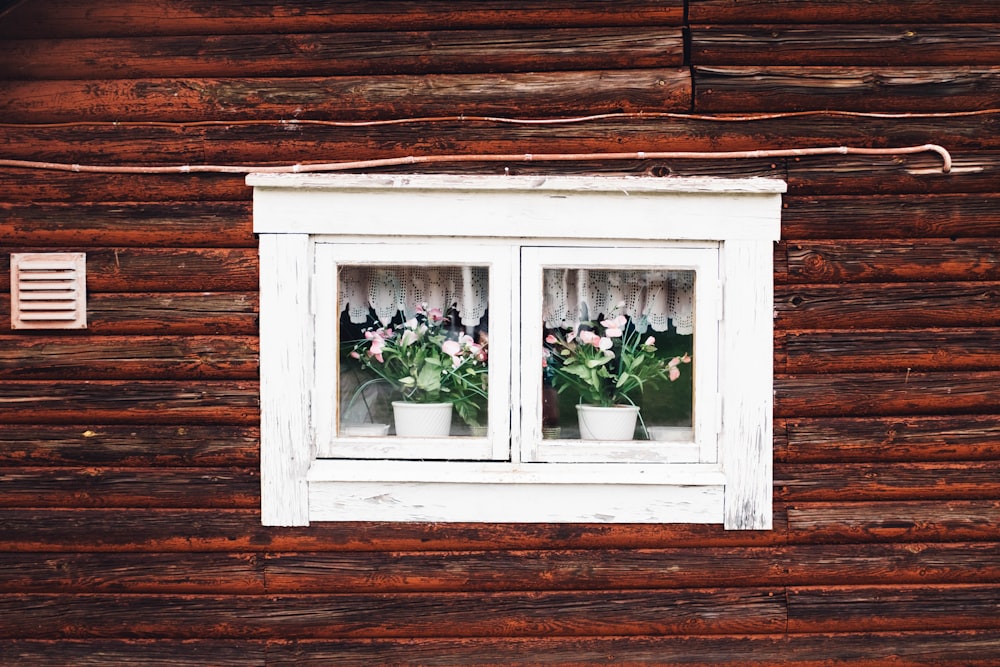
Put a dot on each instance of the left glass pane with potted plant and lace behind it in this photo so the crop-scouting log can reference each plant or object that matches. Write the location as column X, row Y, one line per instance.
column 412, row 338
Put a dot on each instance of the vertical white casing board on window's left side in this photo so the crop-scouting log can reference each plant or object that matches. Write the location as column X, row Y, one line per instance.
column 286, row 349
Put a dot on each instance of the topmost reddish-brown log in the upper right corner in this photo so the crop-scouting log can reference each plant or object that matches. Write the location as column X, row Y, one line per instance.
column 840, row 11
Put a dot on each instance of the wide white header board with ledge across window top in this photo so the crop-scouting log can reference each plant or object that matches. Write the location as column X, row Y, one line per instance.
column 585, row 207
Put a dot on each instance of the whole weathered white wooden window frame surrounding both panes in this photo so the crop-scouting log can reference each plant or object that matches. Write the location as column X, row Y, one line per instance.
column 294, row 214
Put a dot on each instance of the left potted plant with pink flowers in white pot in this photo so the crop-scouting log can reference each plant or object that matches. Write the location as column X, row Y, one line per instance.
column 433, row 368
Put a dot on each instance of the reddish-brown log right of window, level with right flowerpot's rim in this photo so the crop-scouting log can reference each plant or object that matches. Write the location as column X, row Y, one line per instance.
column 900, row 393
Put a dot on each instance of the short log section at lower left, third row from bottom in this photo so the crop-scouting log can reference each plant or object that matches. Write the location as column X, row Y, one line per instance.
column 239, row 573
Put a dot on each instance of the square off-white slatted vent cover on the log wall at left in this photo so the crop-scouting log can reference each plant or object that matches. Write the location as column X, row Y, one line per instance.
column 48, row 290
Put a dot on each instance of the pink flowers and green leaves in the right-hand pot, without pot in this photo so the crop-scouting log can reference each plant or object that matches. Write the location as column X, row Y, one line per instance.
column 608, row 362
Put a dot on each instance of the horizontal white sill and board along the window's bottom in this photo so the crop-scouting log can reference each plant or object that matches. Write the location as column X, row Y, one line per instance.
column 576, row 493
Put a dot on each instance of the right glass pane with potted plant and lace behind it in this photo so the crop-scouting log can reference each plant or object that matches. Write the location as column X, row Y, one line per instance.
column 621, row 340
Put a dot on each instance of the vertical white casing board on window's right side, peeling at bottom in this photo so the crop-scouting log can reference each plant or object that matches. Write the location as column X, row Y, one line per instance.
column 747, row 385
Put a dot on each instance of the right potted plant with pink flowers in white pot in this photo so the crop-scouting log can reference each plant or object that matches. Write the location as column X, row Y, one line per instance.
column 608, row 363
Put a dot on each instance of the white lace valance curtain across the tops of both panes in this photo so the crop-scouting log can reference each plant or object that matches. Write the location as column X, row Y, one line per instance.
column 571, row 295
